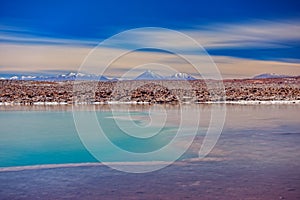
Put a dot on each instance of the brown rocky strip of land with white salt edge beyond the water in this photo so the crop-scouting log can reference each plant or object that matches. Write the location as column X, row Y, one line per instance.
column 150, row 92
